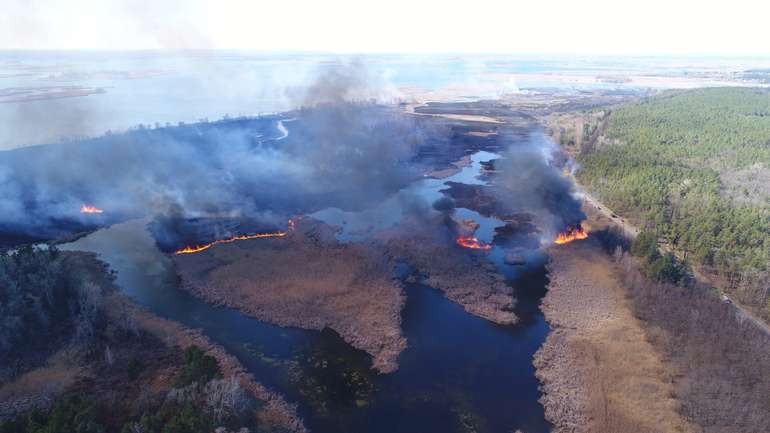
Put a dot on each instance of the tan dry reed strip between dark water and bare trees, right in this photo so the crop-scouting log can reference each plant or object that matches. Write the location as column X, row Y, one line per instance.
column 599, row 372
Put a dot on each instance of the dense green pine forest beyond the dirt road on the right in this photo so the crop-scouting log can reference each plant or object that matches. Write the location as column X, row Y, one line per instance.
column 662, row 170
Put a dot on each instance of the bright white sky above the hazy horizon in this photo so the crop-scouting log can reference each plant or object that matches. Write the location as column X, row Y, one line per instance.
column 611, row 27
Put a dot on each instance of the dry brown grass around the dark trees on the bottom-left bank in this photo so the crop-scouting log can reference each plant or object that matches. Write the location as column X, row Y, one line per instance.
column 73, row 371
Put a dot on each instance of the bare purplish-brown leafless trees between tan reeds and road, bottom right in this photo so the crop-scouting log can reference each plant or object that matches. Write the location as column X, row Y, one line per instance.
column 722, row 359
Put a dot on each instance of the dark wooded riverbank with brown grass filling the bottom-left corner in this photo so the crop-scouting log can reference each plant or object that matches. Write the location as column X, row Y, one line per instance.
column 56, row 302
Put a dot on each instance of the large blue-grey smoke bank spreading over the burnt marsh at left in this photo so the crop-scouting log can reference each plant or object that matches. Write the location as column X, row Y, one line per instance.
column 340, row 152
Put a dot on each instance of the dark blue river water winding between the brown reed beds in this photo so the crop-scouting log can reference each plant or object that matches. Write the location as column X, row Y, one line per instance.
column 460, row 373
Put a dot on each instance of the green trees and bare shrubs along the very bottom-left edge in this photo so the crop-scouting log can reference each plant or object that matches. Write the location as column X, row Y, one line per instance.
column 199, row 401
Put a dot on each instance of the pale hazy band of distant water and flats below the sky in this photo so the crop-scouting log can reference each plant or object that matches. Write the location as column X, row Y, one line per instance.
column 53, row 95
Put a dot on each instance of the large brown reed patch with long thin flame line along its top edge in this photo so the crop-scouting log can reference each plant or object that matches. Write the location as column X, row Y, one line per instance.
column 306, row 280
